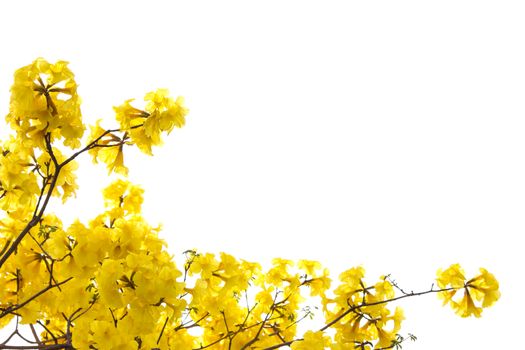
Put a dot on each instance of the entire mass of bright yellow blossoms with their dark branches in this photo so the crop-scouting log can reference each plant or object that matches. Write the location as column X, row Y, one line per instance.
column 111, row 284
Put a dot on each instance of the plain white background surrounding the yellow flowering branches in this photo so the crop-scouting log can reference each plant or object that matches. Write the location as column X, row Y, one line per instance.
column 383, row 133
